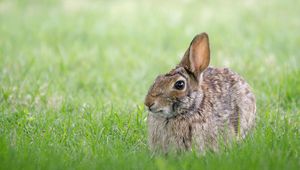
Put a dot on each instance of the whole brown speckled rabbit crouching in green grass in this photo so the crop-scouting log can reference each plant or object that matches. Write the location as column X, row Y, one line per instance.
column 194, row 106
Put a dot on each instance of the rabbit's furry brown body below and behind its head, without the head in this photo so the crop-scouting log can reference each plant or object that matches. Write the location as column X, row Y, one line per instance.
column 223, row 108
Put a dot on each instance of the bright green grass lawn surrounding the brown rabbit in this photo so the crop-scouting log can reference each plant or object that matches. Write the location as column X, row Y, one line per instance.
column 74, row 74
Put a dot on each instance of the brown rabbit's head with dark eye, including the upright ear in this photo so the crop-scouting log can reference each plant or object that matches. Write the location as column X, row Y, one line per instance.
column 179, row 91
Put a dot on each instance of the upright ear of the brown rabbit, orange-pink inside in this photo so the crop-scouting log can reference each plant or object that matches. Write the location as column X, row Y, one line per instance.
column 197, row 56
